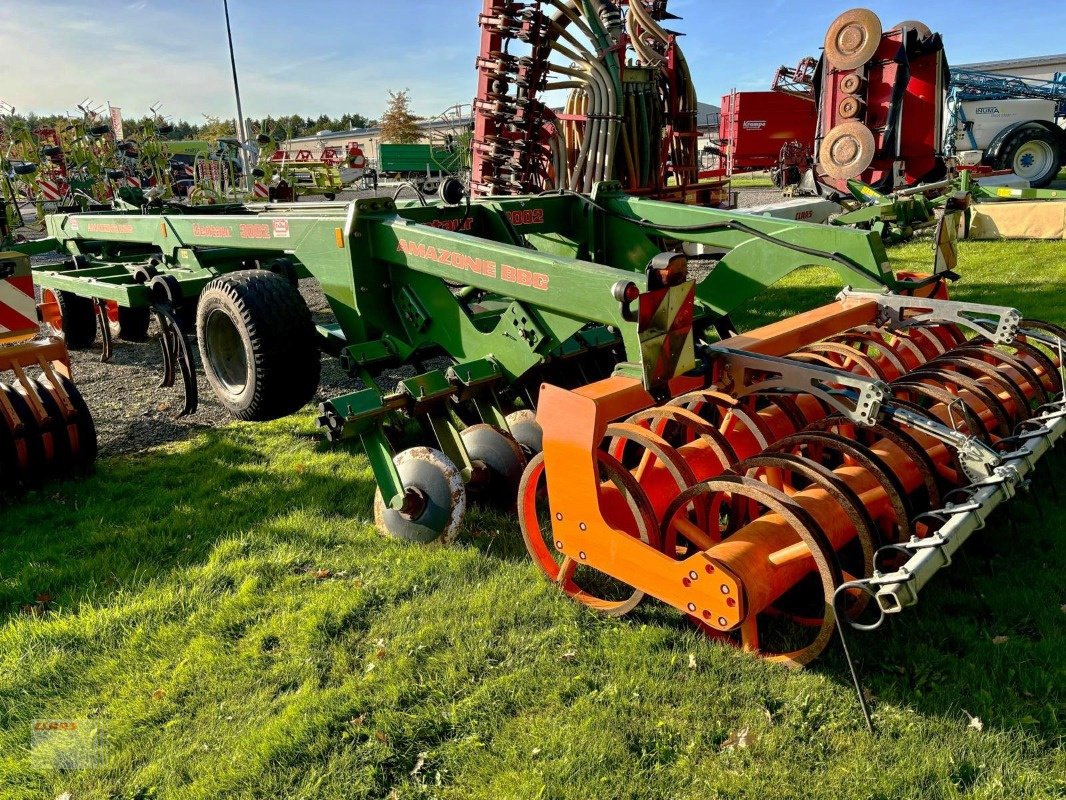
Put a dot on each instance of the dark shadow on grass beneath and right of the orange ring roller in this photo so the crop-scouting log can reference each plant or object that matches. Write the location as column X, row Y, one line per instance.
column 987, row 637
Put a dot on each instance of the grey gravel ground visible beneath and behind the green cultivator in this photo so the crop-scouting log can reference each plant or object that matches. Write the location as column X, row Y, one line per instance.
column 134, row 413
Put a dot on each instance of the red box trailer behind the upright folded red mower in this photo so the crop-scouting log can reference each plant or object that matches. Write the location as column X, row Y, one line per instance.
column 755, row 126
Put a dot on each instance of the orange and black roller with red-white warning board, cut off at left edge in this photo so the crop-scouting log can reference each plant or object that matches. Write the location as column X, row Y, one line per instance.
column 46, row 429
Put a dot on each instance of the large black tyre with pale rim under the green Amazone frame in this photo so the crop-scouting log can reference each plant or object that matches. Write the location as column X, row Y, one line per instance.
column 259, row 345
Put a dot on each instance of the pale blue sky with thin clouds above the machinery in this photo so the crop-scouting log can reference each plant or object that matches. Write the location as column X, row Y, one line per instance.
column 342, row 56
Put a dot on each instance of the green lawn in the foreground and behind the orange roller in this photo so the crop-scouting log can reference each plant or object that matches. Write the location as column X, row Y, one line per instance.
column 225, row 610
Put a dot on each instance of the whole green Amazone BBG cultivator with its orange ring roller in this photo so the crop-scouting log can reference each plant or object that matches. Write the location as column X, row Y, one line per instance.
column 767, row 485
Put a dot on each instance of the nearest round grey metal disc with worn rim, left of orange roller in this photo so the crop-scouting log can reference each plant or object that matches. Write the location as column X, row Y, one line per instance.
column 434, row 499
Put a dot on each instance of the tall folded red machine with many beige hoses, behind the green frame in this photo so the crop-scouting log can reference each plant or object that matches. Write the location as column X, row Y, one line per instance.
column 626, row 103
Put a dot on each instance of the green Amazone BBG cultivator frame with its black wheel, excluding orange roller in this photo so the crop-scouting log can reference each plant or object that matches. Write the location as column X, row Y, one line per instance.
column 511, row 292
